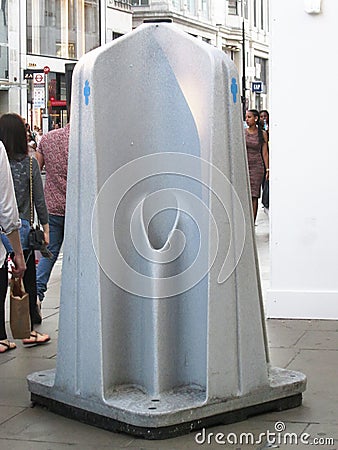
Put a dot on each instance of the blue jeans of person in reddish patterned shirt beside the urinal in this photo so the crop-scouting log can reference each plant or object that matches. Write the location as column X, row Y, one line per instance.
column 45, row 266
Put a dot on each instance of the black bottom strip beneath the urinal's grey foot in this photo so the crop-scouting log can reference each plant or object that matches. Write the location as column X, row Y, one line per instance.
column 165, row 432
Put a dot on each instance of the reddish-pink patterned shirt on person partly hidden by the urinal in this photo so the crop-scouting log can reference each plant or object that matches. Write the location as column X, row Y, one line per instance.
column 53, row 146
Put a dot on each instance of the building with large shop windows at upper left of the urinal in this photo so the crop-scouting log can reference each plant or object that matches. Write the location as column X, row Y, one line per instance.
column 38, row 38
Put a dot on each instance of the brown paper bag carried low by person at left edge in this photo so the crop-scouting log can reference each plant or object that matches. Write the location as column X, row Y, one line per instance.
column 19, row 310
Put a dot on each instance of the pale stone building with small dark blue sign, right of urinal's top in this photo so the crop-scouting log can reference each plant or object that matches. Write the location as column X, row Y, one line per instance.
column 238, row 27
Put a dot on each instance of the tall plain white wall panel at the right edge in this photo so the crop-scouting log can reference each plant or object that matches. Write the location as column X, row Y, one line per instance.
column 304, row 160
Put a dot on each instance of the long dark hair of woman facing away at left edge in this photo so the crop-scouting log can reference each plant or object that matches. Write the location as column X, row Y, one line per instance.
column 14, row 136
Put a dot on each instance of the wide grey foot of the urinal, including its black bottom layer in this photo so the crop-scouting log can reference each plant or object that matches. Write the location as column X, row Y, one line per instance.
column 131, row 411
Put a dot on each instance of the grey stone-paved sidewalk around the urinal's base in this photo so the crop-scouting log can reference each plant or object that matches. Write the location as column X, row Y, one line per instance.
column 309, row 346
